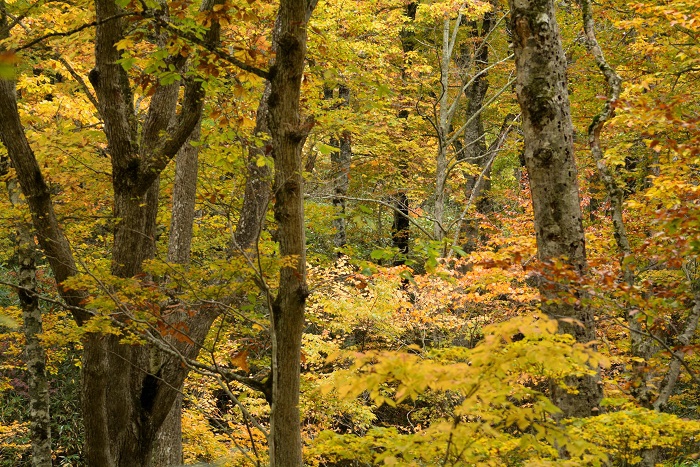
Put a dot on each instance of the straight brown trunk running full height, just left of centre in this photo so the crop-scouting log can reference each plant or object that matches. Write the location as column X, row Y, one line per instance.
column 288, row 134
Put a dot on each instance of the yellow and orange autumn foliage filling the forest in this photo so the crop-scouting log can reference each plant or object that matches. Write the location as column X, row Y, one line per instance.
column 444, row 359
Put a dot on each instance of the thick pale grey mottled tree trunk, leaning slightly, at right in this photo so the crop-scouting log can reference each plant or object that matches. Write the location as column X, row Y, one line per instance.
column 542, row 93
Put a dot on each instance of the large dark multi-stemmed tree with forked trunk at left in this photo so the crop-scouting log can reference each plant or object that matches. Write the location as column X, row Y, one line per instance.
column 120, row 428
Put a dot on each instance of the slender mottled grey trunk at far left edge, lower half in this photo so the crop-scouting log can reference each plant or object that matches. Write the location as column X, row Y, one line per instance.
column 37, row 381
